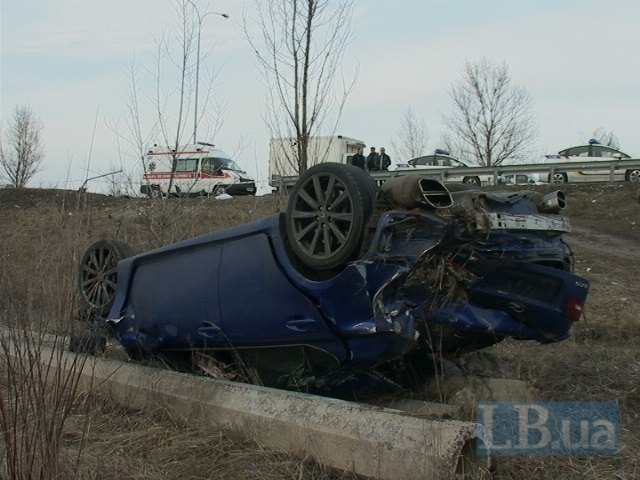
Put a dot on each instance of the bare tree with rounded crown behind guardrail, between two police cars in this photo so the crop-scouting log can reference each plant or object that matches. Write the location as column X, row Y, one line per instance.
column 492, row 119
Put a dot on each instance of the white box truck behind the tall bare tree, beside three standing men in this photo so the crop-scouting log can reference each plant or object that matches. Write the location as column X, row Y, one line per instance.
column 283, row 167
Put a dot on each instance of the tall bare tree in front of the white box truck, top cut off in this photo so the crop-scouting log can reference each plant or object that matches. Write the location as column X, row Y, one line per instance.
column 300, row 50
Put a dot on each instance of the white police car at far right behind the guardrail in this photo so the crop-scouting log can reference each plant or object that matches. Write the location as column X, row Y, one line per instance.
column 593, row 151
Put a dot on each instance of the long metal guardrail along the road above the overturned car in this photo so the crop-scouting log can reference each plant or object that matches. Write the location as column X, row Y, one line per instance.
column 444, row 173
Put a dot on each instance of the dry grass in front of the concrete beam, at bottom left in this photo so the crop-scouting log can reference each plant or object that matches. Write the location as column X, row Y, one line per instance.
column 127, row 444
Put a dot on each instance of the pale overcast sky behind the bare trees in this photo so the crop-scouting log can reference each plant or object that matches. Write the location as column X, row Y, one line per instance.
column 70, row 61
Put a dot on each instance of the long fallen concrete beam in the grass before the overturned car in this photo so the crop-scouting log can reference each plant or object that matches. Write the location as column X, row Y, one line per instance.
column 370, row 441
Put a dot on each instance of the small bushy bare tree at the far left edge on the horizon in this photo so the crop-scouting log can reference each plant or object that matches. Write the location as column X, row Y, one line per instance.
column 21, row 151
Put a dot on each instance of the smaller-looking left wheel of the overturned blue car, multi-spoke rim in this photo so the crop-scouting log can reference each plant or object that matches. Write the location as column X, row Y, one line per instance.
column 98, row 274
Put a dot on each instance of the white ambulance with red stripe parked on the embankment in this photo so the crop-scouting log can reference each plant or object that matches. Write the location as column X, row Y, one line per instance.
column 200, row 170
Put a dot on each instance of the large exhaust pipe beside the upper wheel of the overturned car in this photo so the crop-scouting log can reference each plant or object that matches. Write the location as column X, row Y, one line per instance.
column 416, row 191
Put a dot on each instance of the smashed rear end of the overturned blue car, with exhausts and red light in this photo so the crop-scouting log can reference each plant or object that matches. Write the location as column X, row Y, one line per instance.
column 493, row 265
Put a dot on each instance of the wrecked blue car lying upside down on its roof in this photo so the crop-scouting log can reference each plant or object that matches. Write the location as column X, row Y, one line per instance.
column 351, row 281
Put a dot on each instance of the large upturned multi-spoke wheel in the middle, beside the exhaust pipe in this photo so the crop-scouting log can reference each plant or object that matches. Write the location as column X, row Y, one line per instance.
column 327, row 212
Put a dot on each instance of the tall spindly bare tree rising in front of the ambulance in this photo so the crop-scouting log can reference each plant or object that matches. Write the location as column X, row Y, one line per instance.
column 173, row 97
